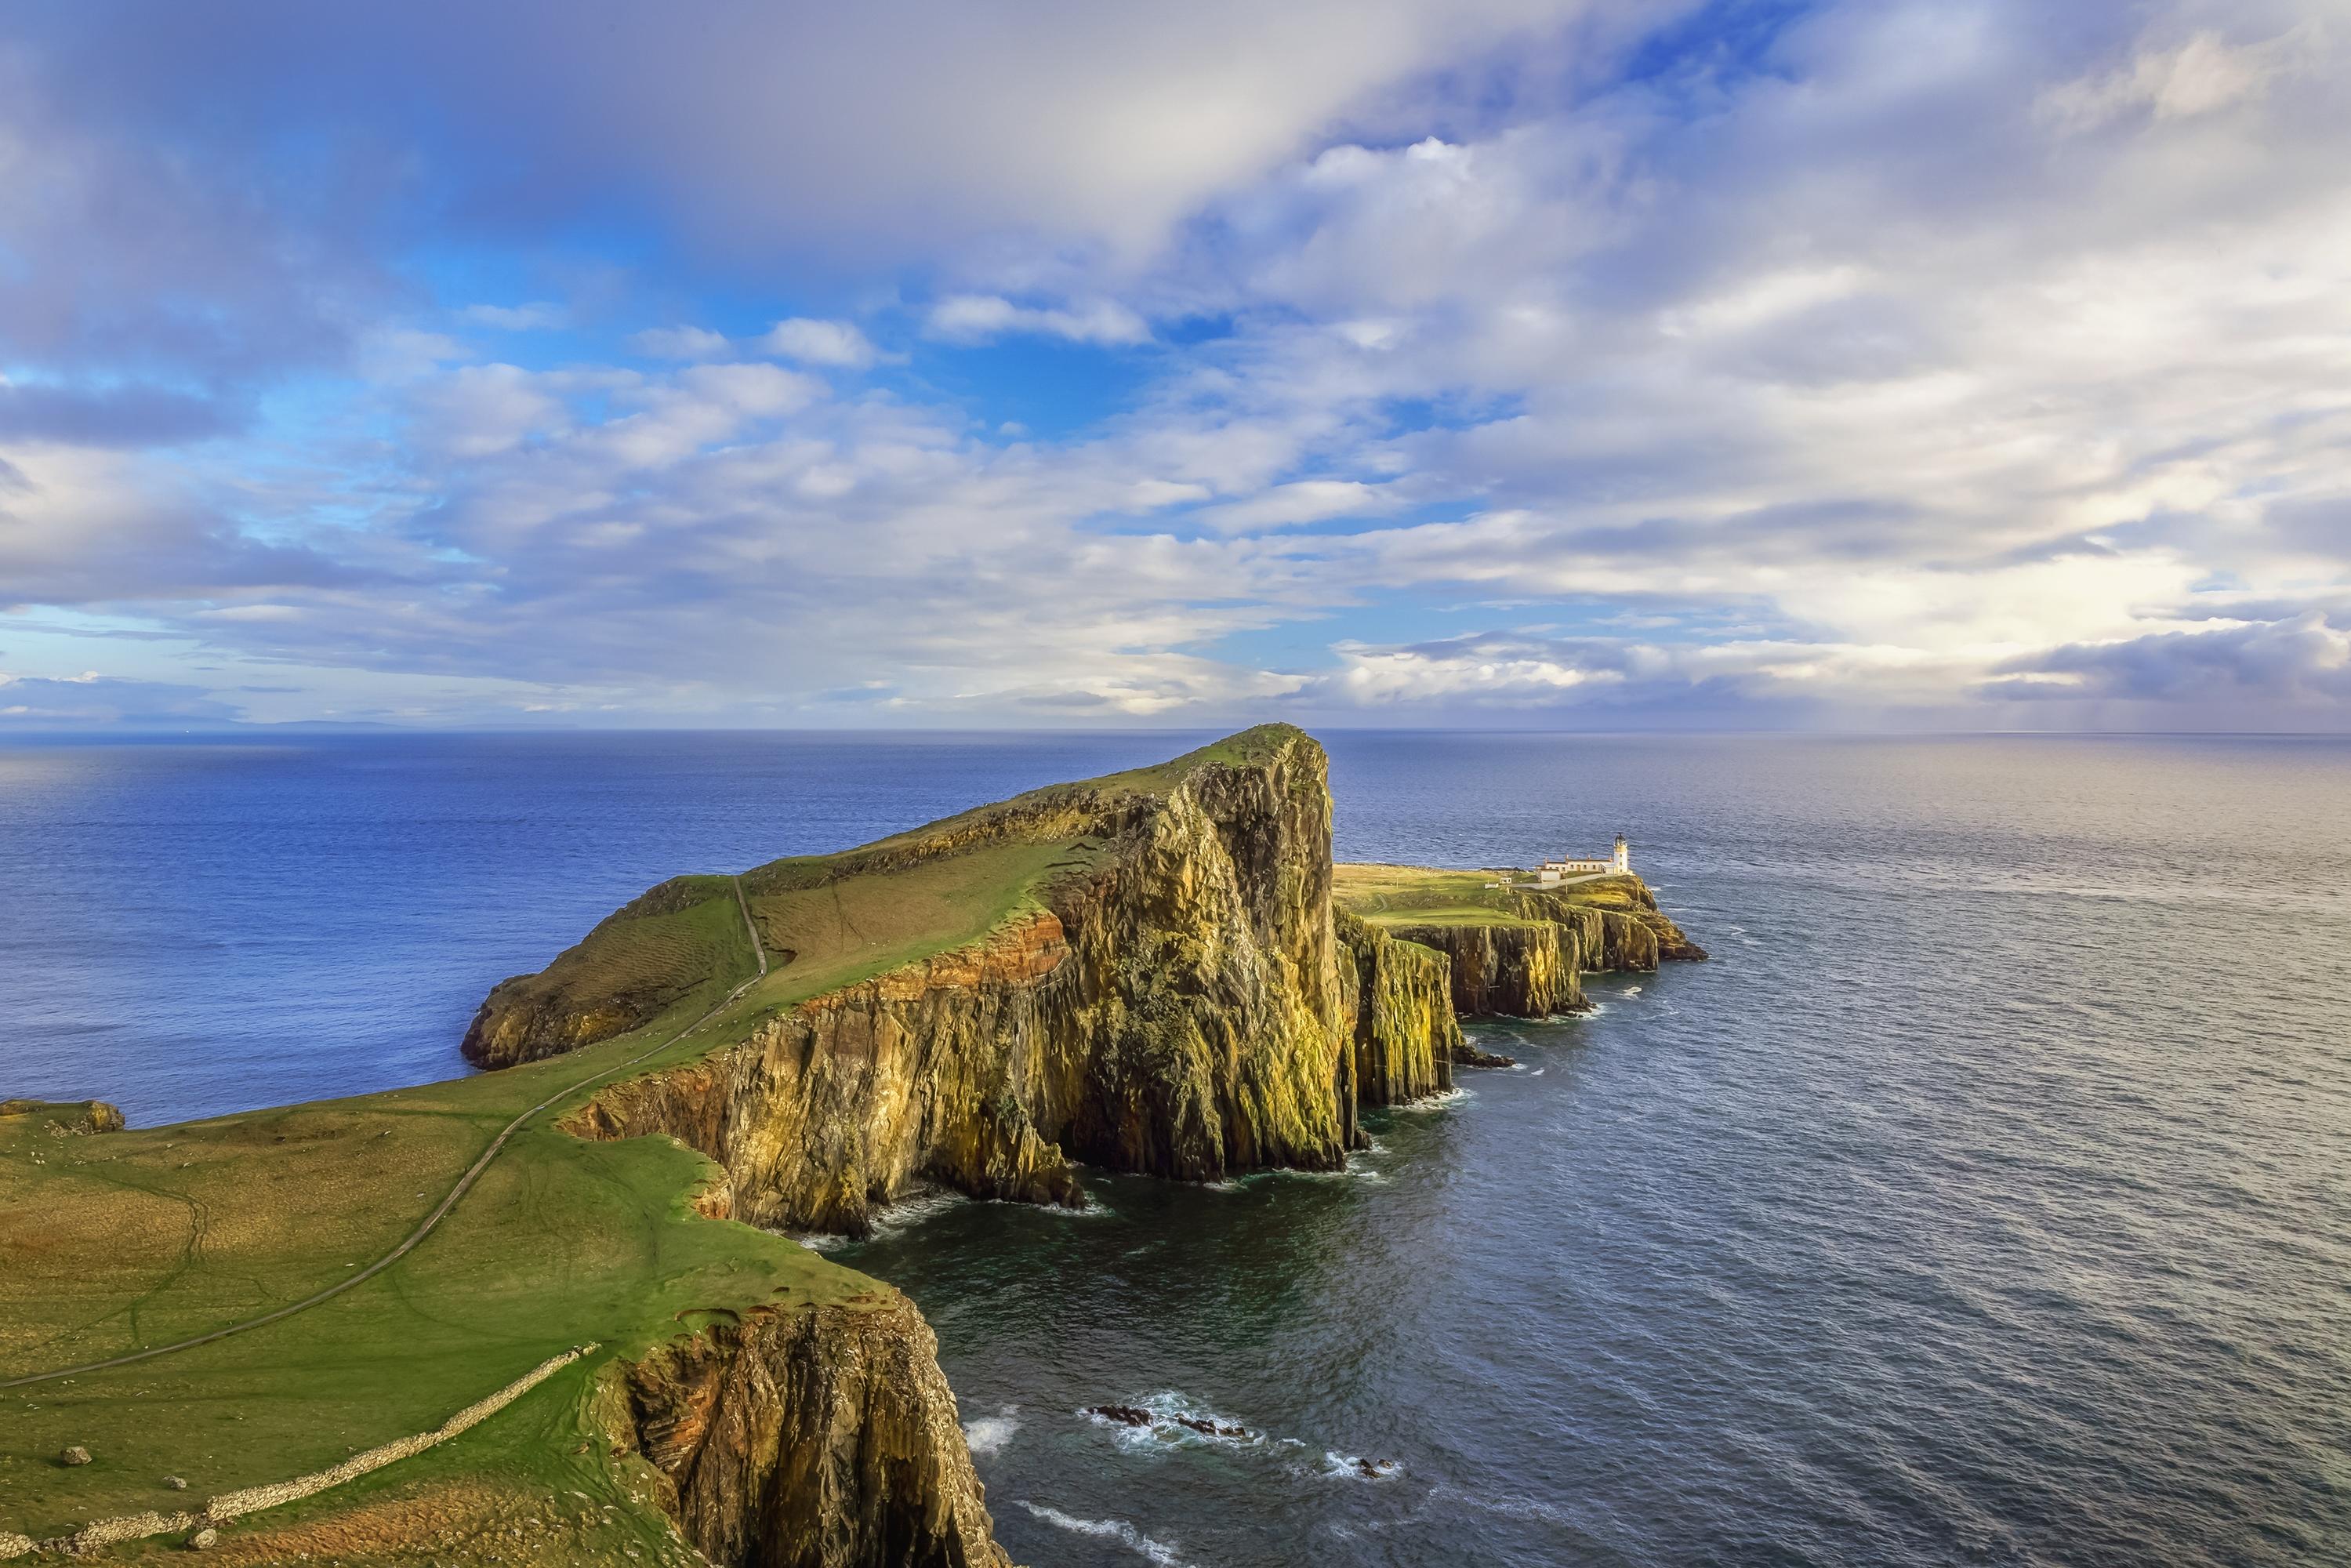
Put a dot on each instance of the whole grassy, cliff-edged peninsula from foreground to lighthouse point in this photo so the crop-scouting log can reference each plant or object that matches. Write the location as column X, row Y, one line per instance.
column 544, row 1313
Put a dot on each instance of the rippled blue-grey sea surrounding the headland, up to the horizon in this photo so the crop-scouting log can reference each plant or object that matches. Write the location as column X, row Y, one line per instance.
column 1985, row 1198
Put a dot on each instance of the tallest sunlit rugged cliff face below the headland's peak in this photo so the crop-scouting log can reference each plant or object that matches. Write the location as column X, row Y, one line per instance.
column 1174, row 1010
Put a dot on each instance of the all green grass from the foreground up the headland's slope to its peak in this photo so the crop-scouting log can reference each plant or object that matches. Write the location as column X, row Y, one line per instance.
column 145, row 1238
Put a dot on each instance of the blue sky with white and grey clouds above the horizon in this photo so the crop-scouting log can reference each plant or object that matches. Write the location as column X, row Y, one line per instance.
column 1395, row 363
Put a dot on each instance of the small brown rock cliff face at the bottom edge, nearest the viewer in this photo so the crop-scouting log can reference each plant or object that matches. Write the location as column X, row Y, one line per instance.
column 817, row 1438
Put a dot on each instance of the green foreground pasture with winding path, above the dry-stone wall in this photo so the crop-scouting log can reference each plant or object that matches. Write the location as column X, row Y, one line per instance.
column 154, row 1235
